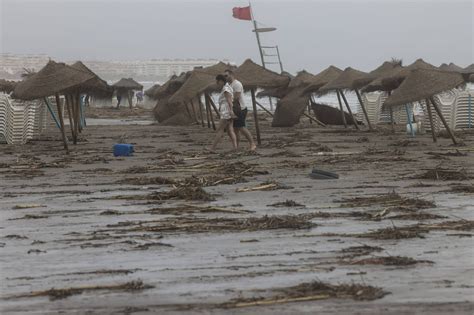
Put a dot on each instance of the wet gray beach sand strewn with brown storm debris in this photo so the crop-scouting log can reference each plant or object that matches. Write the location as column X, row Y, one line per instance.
column 177, row 230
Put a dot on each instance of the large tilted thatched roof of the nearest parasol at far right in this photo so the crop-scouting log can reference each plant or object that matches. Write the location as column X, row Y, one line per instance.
column 423, row 83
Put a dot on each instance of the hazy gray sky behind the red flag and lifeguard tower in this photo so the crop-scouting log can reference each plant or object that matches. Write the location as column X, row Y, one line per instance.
column 311, row 34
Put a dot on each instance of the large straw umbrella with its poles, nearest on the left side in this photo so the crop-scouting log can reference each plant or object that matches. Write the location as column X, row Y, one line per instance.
column 54, row 79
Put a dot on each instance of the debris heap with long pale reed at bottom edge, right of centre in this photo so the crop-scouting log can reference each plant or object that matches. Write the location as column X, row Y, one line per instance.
column 312, row 291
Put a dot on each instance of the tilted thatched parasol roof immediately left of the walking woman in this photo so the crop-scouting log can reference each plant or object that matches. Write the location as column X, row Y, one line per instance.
column 197, row 82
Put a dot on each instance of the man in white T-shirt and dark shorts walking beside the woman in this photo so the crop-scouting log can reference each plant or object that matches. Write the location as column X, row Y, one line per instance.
column 240, row 110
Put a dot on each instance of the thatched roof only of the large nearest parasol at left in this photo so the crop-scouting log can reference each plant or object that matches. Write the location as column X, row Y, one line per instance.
column 53, row 78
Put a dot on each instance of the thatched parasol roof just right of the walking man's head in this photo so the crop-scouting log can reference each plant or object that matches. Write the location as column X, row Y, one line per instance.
column 255, row 76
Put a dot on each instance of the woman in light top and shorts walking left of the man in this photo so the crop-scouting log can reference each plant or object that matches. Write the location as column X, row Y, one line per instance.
column 225, row 111
